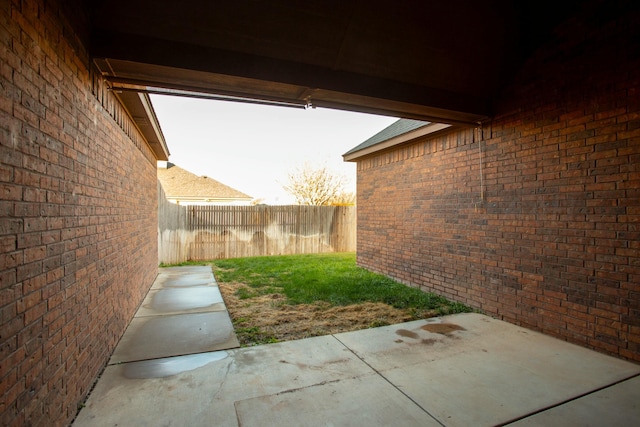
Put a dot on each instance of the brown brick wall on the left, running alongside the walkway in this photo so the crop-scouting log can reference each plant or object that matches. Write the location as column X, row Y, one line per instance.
column 78, row 215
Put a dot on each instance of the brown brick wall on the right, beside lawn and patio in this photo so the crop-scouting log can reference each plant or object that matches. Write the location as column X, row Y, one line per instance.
column 535, row 218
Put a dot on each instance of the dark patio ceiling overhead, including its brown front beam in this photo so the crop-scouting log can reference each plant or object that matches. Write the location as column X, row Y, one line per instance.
column 431, row 60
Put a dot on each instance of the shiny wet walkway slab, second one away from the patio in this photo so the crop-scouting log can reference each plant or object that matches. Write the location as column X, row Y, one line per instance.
column 190, row 299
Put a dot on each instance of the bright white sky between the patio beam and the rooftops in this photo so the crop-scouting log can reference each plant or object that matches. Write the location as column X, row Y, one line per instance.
column 253, row 148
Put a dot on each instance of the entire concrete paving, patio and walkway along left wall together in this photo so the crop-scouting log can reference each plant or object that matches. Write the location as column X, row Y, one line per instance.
column 459, row 370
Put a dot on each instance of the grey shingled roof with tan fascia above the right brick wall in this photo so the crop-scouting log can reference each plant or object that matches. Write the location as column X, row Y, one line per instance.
column 398, row 132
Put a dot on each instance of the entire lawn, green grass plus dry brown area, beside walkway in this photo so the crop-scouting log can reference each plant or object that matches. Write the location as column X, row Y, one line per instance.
column 272, row 299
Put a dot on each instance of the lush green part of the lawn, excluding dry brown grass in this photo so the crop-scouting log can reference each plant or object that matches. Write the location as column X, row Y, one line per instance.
column 333, row 278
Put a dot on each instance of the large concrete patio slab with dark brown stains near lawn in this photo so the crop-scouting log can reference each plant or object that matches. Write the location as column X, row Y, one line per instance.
column 475, row 370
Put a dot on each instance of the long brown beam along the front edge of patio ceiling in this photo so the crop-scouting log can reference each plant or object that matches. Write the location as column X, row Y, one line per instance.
column 344, row 91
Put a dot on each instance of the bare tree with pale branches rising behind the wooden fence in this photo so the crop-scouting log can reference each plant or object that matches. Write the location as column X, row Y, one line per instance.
column 317, row 186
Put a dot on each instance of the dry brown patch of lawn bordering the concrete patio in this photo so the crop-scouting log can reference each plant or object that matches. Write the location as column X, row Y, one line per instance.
column 266, row 318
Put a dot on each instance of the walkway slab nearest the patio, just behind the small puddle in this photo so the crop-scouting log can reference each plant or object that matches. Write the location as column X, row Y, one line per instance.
column 175, row 335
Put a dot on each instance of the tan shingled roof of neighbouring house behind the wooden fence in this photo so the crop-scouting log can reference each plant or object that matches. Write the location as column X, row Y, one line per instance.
column 180, row 183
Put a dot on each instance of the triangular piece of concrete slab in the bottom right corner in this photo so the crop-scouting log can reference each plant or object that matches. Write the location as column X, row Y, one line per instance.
column 616, row 406
